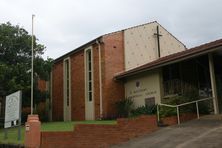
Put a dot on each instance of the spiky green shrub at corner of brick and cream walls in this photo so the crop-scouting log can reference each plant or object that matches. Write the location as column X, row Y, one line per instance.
column 124, row 107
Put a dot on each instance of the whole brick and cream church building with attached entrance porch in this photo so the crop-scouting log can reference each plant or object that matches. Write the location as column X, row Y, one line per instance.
column 136, row 63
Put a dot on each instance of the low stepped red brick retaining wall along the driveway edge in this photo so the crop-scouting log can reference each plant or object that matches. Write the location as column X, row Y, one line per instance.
column 100, row 136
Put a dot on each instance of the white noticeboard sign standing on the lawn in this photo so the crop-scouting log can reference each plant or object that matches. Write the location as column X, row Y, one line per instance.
column 13, row 109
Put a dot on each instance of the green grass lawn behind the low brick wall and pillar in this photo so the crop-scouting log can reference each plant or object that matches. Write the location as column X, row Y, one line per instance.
column 48, row 126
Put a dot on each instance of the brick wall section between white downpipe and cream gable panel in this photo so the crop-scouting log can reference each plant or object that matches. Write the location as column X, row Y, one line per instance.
column 113, row 62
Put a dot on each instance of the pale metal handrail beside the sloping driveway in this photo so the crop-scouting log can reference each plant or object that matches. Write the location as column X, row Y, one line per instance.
column 179, row 105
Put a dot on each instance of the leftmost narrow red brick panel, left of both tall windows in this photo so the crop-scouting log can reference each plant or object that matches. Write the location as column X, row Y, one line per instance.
column 57, row 91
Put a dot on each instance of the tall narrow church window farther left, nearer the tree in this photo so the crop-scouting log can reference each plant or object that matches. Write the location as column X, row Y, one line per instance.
column 67, row 81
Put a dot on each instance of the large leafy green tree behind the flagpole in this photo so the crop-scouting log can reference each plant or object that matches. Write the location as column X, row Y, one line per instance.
column 15, row 61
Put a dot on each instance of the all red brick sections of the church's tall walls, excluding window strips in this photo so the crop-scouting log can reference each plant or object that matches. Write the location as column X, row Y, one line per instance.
column 112, row 53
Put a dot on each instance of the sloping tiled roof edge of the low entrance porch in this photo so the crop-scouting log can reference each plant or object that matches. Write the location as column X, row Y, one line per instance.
column 173, row 58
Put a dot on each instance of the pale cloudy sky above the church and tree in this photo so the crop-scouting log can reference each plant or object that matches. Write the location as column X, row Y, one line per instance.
column 63, row 25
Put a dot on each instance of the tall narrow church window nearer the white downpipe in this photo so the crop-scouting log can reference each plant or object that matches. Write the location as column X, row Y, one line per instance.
column 89, row 74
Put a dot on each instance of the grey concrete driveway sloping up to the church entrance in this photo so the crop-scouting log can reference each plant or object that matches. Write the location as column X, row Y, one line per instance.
column 203, row 133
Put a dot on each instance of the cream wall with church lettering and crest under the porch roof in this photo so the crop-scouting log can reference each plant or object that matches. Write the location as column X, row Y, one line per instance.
column 141, row 89
